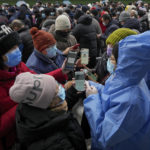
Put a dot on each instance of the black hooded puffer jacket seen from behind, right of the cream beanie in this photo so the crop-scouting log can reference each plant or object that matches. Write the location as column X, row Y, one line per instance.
column 85, row 34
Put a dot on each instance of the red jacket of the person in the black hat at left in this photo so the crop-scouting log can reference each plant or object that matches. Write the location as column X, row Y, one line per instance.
column 8, row 107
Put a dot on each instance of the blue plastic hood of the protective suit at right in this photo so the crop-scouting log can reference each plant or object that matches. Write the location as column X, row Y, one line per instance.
column 133, row 61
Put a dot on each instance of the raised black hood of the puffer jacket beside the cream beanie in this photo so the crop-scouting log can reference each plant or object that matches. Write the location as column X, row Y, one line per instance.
column 85, row 19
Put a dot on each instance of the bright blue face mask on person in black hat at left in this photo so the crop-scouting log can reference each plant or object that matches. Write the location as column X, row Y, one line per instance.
column 13, row 58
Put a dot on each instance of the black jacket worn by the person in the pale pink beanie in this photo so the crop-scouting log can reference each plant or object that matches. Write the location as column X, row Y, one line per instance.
column 39, row 129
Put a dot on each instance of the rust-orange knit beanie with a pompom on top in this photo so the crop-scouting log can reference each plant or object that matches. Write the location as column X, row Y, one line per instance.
column 41, row 39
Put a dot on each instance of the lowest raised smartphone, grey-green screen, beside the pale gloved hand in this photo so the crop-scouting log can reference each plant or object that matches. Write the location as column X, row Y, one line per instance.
column 79, row 81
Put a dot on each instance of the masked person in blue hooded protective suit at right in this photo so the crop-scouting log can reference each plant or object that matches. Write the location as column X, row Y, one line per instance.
column 119, row 112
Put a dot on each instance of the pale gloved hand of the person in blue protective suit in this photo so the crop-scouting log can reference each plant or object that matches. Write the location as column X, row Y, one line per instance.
column 90, row 89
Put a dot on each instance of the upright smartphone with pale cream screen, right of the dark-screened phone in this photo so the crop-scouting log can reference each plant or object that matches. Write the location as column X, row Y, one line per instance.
column 84, row 56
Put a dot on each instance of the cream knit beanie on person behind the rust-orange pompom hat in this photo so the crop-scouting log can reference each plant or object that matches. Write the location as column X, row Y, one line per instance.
column 62, row 23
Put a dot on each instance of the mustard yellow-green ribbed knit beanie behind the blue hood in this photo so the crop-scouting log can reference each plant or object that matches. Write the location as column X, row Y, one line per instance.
column 118, row 35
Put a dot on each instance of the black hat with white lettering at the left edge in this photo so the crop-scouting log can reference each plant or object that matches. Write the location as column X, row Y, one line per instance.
column 8, row 39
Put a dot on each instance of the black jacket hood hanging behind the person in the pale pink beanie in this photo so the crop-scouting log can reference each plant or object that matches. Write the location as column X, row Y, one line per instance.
column 34, row 123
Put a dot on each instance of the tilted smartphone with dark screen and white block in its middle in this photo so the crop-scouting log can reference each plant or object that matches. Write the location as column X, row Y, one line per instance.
column 71, row 58
